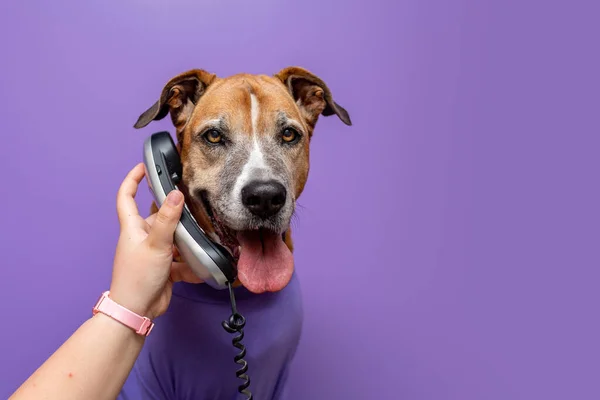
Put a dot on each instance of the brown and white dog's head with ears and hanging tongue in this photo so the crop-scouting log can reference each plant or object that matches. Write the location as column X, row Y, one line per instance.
column 244, row 145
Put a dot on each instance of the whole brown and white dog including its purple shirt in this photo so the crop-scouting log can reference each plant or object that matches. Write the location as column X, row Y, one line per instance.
column 244, row 144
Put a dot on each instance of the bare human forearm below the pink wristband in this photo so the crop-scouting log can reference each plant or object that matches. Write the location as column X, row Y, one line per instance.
column 92, row 364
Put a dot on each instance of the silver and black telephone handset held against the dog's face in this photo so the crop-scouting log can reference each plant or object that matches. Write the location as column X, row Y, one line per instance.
column 210, row 261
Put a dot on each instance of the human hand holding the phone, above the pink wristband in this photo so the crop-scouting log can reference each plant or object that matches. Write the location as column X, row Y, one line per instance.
column 144, row 270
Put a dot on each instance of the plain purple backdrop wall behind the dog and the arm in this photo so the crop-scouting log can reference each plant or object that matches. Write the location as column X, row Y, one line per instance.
column 448, row 244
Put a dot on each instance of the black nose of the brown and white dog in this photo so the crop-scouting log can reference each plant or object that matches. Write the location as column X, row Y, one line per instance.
column 263, row 198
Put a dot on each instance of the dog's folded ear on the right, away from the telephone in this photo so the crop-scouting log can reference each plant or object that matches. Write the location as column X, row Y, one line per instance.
column 311, row 94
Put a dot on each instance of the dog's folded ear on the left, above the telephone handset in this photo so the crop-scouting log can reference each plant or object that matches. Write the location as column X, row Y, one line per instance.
column 179, row 96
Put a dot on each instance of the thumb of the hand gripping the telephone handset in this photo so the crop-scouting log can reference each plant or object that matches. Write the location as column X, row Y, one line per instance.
column 167, row 217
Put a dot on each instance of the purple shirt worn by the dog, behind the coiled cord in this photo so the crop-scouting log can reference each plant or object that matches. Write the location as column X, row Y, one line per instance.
column 189, row 355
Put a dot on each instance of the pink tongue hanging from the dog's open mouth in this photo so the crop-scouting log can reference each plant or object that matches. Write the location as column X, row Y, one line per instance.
column 264, row 265
